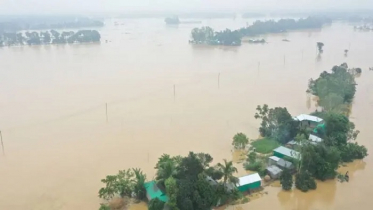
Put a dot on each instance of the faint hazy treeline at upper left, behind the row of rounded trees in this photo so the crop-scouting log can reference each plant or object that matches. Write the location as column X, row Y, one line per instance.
column 18, row 23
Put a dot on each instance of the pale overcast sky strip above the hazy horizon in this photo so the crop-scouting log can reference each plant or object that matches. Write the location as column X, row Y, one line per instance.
column 76, row 6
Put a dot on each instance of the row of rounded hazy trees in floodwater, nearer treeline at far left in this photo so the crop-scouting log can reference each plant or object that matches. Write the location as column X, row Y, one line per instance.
column 52, row 37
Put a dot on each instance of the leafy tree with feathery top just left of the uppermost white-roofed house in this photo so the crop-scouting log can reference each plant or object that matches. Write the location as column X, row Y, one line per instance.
column 277, row 123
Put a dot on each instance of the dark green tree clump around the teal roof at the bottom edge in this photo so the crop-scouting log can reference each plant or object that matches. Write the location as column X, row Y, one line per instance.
column 190, row 183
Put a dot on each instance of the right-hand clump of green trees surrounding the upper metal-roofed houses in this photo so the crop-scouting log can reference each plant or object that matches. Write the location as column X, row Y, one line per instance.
column 336, row 134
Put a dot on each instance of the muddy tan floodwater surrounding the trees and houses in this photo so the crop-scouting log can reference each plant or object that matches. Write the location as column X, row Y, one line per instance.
column 162, row 96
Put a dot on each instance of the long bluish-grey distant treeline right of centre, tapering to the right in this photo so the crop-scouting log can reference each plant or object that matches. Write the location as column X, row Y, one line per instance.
column 207, row 35
